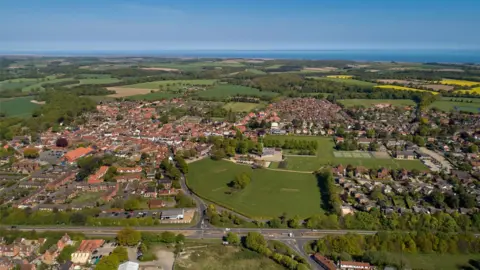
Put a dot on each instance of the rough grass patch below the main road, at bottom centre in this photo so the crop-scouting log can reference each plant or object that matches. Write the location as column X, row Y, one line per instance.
column 219, row 257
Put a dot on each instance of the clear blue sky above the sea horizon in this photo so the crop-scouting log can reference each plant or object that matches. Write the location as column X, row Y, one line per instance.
column 53, row 25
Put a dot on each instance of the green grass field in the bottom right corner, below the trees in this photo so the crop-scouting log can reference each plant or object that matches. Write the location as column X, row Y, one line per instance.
column 440, row 262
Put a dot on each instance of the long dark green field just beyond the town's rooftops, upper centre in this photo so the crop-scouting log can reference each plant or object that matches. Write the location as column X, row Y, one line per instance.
column 226, row 90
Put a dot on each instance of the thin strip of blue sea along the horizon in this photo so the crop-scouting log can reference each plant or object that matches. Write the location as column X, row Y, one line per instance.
column 419, row 56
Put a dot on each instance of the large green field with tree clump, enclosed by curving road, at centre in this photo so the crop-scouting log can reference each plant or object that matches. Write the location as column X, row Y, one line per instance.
column 269, row 194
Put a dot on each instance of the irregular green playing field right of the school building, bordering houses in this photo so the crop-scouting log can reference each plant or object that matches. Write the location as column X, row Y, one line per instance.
column 325, row 157
